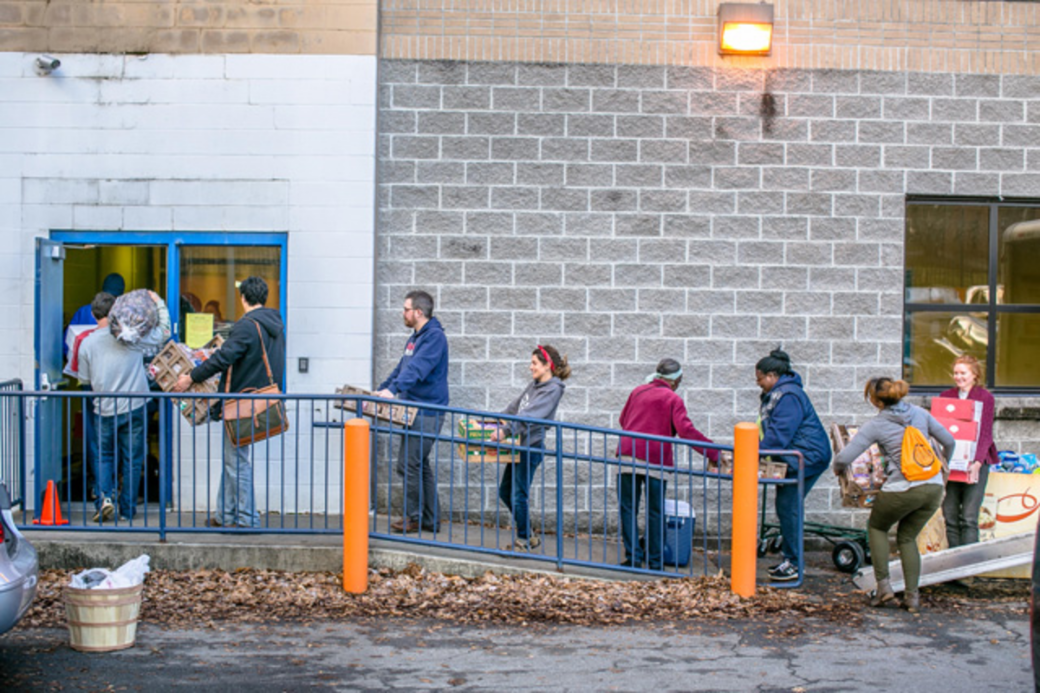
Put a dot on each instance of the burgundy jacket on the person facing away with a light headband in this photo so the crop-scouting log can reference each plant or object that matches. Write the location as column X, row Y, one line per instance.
column 656, row 409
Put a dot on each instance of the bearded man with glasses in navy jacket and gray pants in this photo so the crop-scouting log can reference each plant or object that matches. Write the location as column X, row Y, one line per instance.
column 422, row 376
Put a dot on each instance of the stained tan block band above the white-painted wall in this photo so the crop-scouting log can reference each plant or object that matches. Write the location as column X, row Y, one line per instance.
column 346, row 28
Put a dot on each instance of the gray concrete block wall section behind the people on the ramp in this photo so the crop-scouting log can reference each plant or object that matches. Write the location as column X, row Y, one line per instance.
column 628, row 214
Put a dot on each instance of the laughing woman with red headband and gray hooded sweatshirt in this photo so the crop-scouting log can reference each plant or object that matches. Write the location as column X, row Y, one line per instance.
column 539, row 400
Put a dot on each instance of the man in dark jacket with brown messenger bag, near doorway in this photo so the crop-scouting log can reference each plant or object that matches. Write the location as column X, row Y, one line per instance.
column 251, row 362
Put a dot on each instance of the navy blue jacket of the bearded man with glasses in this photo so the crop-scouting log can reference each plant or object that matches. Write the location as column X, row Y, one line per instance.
column 423, row 373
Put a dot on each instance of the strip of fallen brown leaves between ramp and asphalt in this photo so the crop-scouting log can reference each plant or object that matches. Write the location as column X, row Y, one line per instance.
column 206, row 598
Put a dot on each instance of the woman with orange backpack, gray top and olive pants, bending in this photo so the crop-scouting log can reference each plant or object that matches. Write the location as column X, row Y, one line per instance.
column 914, row 486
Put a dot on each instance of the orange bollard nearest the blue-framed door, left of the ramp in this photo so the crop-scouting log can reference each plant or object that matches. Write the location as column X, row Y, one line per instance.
column 356, row 506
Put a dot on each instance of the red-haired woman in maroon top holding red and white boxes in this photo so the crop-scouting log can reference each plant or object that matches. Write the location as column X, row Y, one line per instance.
column 960, row 508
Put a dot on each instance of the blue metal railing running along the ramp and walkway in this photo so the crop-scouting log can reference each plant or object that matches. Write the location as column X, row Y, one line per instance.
column 299, row 476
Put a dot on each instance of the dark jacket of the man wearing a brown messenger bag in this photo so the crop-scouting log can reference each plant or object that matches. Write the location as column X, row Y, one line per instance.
column 243, row 353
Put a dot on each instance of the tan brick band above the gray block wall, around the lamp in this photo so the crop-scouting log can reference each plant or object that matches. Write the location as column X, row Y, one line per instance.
column 918, row 36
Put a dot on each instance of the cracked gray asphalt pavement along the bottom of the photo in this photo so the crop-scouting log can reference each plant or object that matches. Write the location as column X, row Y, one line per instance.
column 984, row 649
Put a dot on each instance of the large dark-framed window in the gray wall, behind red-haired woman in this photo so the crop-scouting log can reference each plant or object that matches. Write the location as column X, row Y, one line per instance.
column 973, row 287
